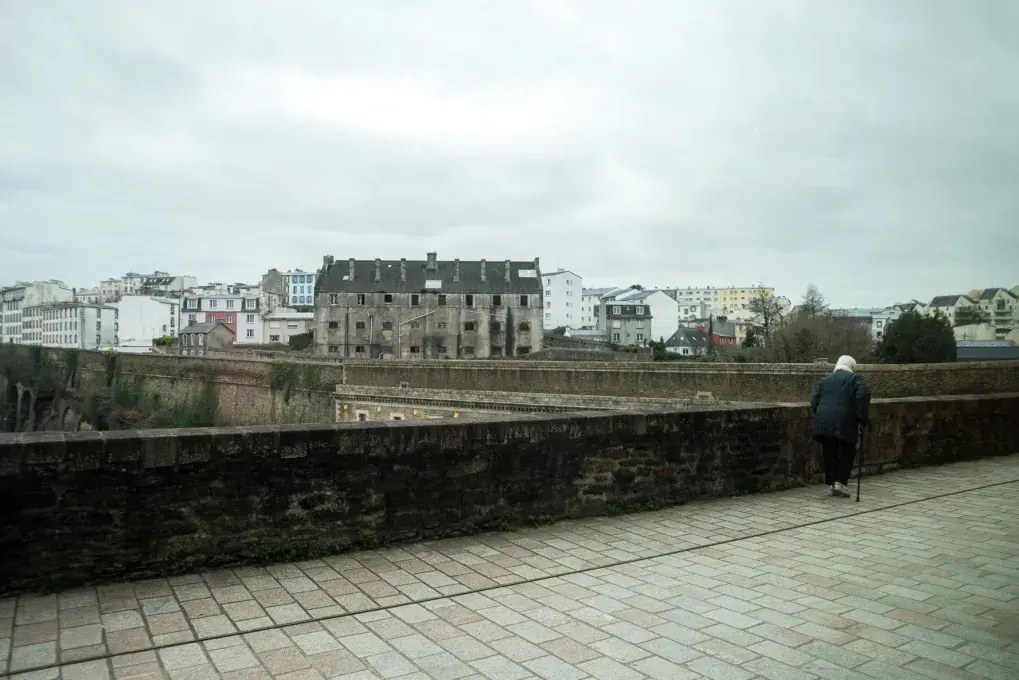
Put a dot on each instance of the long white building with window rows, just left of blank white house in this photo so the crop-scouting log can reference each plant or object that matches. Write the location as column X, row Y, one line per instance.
column 72, row 326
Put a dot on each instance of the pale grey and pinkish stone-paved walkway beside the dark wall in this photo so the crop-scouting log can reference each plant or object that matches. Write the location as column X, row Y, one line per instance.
column 919, row 582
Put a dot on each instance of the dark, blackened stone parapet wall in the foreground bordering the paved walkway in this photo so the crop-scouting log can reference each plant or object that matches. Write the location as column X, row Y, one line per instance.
column 96, row 506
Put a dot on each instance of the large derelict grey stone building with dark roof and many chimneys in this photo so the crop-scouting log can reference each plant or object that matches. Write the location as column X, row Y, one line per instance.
column 427, row 309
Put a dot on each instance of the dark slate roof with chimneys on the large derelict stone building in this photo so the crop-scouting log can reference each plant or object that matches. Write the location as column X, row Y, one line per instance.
column 335, row 278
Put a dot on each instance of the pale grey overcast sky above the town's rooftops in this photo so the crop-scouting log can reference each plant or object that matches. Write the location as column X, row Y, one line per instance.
column 870, row 147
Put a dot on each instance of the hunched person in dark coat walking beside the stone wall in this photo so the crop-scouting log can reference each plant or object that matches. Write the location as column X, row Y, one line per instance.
column 841, row 402
